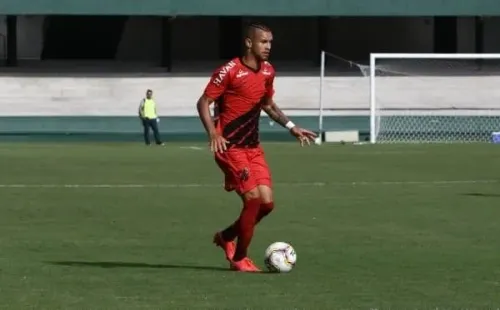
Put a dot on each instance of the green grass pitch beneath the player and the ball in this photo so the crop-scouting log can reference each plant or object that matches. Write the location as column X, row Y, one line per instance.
column 123, row 226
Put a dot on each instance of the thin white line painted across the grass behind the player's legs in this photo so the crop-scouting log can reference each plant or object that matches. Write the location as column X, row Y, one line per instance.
column 210, row 185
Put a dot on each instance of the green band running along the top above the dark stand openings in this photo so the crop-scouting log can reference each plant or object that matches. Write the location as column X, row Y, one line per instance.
column 255, row 7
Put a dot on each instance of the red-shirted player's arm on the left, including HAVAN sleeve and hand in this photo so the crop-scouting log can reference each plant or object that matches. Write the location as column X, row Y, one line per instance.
column 214, row 89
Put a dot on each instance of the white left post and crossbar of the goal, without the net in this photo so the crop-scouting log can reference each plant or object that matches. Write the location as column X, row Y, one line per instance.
column 436, row 56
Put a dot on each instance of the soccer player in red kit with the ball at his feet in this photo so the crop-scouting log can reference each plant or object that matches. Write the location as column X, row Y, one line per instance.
column 241, row 89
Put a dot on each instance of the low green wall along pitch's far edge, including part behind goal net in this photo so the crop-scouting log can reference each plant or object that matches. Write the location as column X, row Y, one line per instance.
column 418, row 128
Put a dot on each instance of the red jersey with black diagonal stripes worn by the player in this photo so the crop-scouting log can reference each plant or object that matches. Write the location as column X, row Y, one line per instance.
column 238, row 91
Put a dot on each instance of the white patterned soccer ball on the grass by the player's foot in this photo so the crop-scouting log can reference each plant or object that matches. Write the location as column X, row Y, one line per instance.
column 280, row 257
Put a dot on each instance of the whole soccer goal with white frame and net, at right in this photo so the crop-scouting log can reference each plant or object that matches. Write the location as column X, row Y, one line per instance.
column 434, row 98
